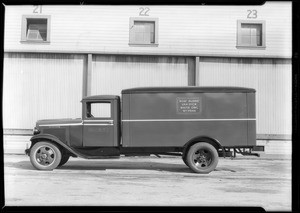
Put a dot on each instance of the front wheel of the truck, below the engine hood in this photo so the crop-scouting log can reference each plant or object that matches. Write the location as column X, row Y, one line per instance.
column 45, row 155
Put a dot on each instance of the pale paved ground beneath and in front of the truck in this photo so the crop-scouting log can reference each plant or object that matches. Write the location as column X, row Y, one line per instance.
column 150, row 181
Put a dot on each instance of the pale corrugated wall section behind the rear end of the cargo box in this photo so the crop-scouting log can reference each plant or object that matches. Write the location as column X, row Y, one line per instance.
column 271, row 78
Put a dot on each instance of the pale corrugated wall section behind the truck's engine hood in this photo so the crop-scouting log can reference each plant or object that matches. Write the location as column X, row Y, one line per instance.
column 41, row 86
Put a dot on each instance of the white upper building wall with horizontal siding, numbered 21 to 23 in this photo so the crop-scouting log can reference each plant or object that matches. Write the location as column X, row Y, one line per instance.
column 182, row 30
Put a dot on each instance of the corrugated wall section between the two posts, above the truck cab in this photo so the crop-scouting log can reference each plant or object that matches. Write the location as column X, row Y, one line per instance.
column 111, row 74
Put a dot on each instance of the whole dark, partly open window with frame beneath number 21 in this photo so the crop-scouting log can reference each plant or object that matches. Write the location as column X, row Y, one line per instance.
column 35, row 29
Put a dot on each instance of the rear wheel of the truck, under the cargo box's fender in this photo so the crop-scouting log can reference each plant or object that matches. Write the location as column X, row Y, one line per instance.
column 202, row 158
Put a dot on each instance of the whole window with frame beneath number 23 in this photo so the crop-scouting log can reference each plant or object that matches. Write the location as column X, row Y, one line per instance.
column 251, row 34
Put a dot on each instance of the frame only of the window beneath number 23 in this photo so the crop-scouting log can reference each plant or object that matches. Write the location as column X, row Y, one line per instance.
column 239, row 33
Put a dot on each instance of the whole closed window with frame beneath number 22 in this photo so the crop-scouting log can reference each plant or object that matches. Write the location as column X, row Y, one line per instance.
column 143, row 31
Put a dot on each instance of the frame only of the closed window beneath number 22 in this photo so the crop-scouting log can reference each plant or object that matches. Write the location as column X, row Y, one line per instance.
column 142, row 19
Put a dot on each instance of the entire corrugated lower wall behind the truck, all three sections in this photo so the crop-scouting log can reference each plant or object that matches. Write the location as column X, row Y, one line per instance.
column 41, row 86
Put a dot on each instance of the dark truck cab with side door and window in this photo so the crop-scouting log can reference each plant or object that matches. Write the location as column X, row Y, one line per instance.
column 101, row 121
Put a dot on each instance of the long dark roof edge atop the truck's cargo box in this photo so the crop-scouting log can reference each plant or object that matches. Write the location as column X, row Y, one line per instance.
column 187, row 89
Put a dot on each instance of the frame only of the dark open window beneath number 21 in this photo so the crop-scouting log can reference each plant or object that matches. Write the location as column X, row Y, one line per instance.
column 24, row 28
